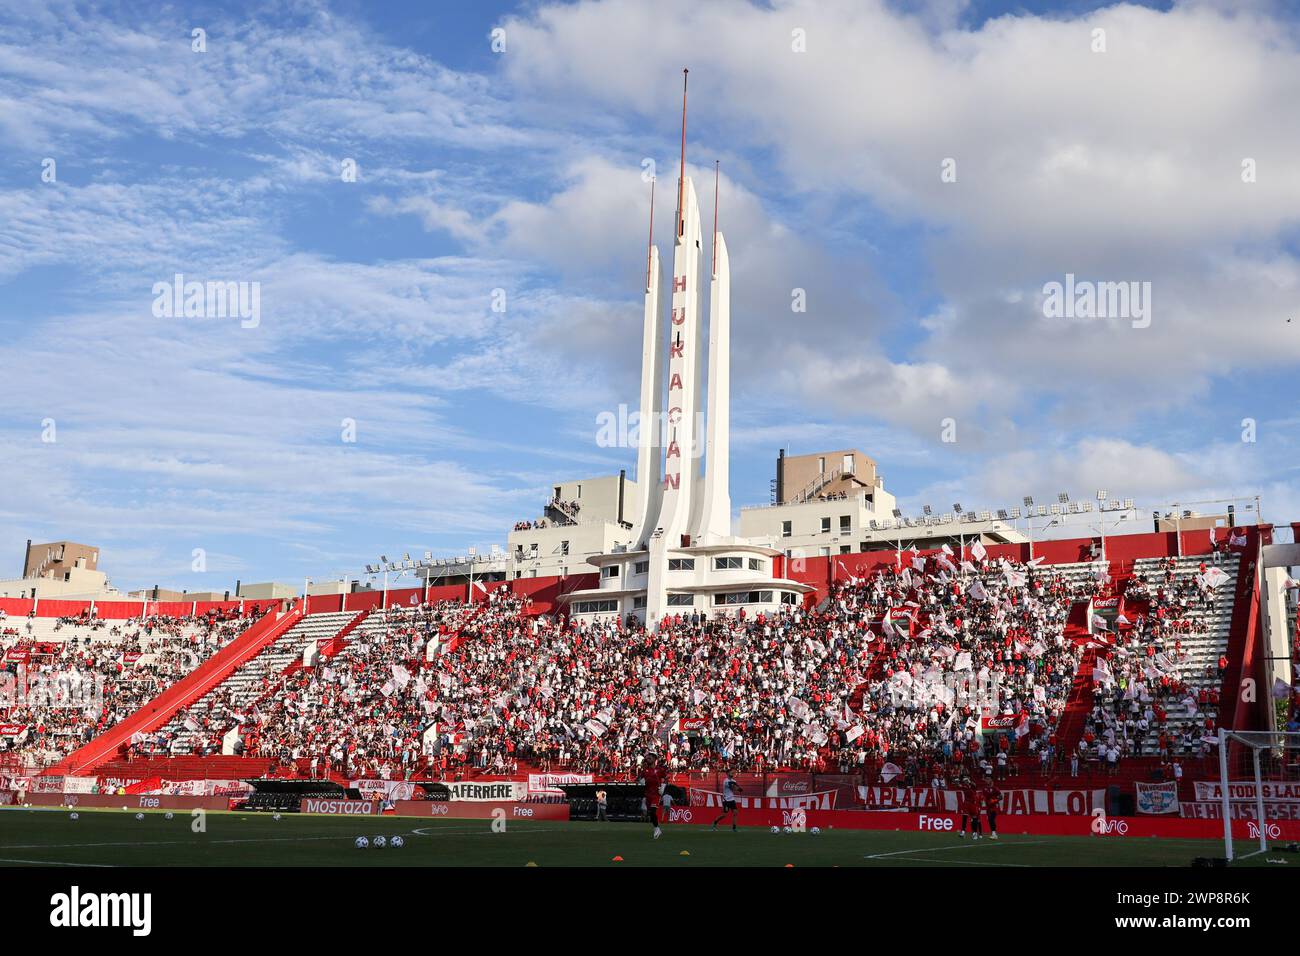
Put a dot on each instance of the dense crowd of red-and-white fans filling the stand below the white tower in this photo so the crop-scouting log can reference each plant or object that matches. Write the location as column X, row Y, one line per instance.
column 903, row 667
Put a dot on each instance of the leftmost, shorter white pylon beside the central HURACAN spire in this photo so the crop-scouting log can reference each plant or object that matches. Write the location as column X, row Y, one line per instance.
column 649, row 462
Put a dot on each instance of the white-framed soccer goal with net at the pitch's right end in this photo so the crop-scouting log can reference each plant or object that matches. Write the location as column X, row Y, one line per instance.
column 1253, row 765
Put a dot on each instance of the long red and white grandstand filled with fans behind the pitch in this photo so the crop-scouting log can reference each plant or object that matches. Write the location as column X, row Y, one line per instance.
column 896, row 677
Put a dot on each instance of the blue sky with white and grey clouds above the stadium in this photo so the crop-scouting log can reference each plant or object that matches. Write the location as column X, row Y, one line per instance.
column 521, row 171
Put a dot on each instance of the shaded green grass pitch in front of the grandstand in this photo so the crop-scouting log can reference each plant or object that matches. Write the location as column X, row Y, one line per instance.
column 49, row 837
